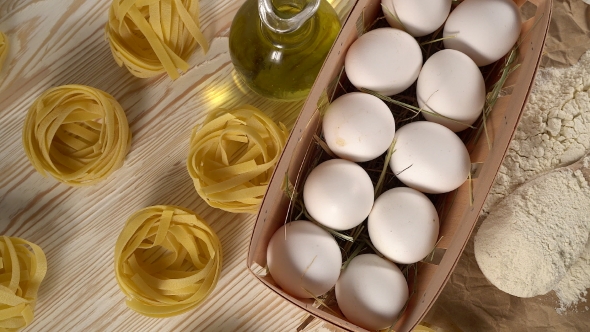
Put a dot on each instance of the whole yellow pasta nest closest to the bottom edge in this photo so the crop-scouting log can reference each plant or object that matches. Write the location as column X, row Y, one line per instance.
column 167, row 261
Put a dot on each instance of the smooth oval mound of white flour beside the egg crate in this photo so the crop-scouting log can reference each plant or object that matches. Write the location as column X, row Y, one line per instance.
column 532, row 237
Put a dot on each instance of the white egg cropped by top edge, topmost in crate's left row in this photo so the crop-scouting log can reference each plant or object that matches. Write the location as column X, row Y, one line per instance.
column 417, row 17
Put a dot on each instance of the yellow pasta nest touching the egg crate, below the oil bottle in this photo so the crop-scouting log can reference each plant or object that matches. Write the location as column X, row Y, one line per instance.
column 232, row 157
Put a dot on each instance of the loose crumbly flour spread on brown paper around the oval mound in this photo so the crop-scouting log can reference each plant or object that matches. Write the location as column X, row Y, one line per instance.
column 554, row 131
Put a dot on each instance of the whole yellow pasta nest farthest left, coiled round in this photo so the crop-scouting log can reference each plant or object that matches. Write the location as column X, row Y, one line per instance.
column 76, row 133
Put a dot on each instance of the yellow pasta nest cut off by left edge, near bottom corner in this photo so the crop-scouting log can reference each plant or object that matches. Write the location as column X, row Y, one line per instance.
column 22, row 268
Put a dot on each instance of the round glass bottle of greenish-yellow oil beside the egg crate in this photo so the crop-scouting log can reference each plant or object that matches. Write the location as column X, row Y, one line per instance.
column 278, row 46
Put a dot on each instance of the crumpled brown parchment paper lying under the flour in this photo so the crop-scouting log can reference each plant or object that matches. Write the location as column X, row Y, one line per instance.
column 469, row 302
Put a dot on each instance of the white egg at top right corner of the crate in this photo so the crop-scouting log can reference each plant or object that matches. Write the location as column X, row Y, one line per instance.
column 485, row 30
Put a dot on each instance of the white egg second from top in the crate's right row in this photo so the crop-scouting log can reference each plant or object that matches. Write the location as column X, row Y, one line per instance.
column 452, row 85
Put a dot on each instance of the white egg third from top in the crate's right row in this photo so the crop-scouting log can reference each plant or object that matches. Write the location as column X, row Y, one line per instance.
column 429, row 157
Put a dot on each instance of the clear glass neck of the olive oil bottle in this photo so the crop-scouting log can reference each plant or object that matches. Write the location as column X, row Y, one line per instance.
column 285, row 16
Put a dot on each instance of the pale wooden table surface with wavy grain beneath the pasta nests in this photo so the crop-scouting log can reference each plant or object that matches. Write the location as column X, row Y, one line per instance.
column 57, row 42
